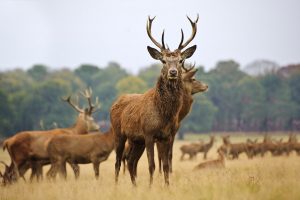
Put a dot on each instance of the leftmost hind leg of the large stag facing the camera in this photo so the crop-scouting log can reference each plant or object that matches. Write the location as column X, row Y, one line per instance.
column 120, row 144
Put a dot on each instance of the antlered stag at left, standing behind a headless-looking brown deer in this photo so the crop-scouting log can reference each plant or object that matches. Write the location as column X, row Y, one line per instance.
column 28, row 149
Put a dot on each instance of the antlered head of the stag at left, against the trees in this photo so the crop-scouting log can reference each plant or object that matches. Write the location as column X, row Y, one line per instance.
column 86, row 114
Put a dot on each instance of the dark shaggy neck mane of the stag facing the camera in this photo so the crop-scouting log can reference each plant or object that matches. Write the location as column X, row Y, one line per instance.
column 168, row 98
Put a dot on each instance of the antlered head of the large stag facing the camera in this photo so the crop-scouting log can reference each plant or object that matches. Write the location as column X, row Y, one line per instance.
column 172, row 60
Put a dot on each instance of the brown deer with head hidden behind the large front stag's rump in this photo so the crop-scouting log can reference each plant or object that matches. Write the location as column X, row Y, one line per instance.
column 79, row 149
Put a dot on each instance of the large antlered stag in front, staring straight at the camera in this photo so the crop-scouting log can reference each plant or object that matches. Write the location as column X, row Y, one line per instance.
column 152, row 116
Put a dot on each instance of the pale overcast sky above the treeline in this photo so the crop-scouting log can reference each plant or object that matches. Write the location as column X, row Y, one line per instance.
column 67, row 33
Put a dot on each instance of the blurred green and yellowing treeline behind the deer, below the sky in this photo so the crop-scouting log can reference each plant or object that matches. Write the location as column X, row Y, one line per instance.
column 236, row 101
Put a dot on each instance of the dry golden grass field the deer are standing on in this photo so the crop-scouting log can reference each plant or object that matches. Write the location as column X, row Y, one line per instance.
column 259, row 178
